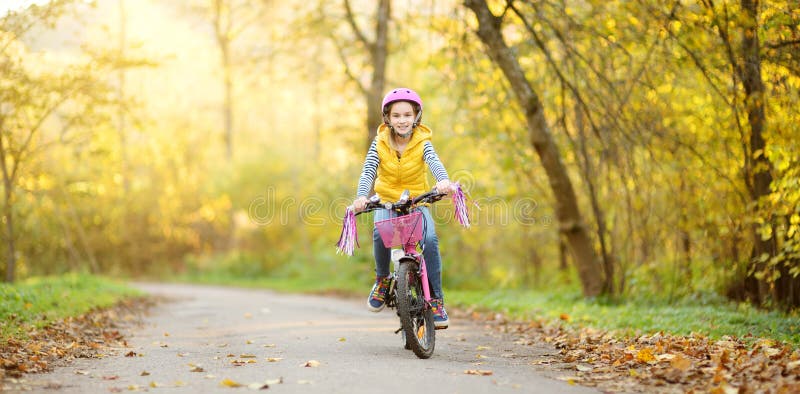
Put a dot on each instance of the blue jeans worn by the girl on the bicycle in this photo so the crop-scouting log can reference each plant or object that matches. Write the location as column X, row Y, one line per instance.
column 433, row 260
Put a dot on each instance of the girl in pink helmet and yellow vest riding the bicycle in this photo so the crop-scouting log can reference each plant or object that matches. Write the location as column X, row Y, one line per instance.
column 396, row 162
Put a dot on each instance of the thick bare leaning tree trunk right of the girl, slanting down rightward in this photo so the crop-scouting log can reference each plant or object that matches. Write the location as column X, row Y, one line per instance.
column 567, row 211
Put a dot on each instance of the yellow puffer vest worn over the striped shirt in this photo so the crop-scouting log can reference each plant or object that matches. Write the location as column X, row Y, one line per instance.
column 406, row 172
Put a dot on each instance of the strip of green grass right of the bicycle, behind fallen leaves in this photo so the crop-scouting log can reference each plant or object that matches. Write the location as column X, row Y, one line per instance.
column 711, row 316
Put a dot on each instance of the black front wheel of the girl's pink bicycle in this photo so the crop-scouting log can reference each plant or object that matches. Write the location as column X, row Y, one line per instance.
column 416, row 316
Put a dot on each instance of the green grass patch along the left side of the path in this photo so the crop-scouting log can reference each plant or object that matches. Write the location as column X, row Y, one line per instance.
column 37, row 302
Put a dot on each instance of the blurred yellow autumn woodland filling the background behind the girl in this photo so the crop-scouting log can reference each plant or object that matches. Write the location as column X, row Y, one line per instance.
column 674, row 122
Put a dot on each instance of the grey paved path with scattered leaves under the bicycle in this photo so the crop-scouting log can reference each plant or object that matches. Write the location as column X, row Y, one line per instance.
column 210, row 335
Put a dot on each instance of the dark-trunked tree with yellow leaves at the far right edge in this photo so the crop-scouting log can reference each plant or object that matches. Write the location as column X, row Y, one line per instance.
column 735, row 71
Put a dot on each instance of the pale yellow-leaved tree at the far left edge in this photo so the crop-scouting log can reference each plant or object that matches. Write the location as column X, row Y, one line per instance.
column 40, row 108
